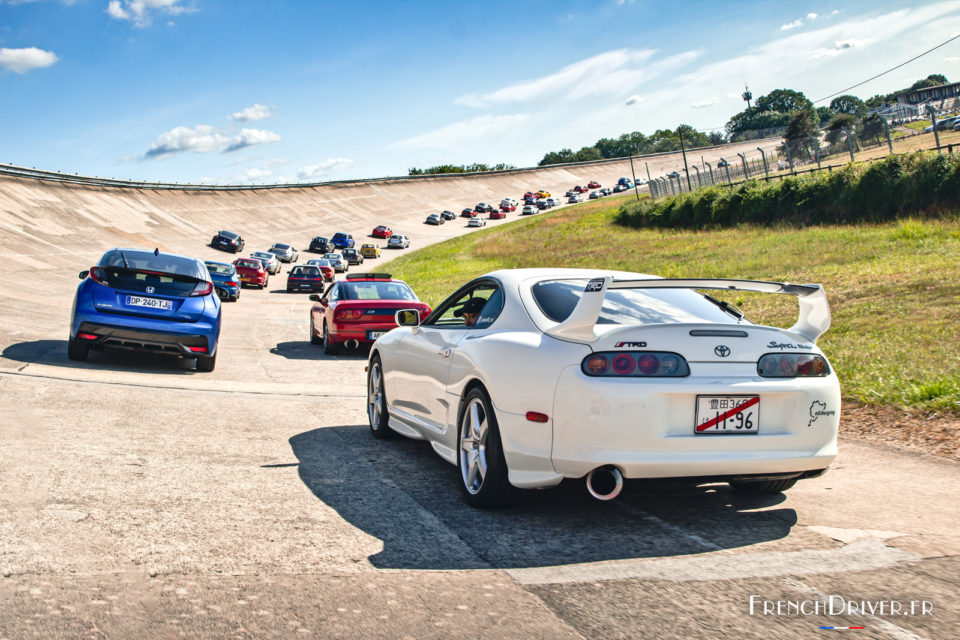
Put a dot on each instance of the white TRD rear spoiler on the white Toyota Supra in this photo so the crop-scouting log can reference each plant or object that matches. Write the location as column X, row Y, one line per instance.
column 813, row 320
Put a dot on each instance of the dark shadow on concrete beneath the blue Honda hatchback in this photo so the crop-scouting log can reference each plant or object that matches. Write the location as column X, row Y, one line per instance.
column 54, row 352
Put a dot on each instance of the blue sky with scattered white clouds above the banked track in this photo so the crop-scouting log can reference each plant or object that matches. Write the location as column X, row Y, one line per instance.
column 241, row 91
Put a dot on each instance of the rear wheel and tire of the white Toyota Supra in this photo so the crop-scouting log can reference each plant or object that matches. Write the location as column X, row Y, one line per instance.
column 478, row 437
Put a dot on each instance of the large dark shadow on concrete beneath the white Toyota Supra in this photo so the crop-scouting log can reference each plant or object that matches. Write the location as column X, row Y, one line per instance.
column 402, row 493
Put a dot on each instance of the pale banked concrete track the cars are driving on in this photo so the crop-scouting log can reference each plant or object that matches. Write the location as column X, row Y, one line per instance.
column 141, row 499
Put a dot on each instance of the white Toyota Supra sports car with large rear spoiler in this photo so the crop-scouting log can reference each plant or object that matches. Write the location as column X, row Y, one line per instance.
column 573, row 373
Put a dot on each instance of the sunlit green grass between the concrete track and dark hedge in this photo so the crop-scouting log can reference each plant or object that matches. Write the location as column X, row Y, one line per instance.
column 893, row 288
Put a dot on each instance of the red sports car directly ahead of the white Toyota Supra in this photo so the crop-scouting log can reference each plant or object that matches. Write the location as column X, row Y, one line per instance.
column 360, row 309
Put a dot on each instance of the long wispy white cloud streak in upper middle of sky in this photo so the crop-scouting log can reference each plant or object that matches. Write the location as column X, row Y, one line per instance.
column 612, row 72
